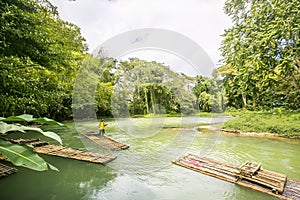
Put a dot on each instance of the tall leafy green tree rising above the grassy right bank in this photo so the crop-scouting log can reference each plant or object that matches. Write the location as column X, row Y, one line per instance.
column 261, row 53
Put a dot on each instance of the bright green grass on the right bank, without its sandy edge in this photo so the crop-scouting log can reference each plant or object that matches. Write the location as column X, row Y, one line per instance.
column 284, row 124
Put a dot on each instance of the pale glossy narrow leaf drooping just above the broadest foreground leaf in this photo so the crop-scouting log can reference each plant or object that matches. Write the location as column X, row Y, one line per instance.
column 4, row 128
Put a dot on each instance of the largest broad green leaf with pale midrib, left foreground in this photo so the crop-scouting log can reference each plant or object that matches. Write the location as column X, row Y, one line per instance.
column 21, row 155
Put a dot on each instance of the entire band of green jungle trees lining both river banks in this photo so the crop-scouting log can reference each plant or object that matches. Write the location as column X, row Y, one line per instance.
column 41, row 57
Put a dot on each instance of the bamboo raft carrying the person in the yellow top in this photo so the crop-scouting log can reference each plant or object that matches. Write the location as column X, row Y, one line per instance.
column 104, row 141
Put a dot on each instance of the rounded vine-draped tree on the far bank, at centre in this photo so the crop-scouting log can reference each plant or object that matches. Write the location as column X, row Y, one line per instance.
column 152, row 88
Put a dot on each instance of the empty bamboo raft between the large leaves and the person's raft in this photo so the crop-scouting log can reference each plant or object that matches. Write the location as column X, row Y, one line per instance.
column 66, row 152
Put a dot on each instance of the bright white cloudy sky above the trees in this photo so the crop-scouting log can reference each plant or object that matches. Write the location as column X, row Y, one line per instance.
column 201, row 21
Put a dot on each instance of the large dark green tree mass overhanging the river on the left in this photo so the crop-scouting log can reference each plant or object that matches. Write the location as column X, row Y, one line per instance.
column 39, row 58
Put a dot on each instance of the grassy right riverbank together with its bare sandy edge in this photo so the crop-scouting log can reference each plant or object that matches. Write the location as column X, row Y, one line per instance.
column 261, row 123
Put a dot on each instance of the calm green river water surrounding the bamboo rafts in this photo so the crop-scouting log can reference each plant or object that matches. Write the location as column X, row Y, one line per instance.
column 145, row 171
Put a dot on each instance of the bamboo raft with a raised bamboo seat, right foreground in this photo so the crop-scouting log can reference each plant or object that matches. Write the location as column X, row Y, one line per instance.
column 249, row 175
